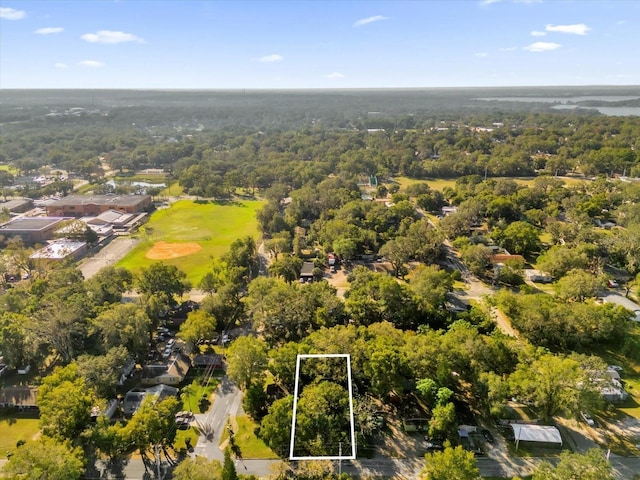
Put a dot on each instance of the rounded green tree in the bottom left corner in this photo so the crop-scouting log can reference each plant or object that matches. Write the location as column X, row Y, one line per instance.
column 45, row 459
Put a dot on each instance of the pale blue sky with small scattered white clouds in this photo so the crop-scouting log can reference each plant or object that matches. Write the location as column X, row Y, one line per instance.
column 186, row 44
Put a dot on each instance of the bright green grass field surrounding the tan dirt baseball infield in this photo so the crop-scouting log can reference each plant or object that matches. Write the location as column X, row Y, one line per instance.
column 214, row 226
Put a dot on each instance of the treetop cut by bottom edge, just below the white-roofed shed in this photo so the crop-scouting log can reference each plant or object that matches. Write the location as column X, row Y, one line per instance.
column 591, row 465
